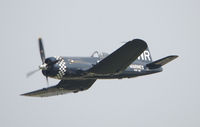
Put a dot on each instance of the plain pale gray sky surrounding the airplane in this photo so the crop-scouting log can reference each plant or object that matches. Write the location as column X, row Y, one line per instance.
column 77, row 28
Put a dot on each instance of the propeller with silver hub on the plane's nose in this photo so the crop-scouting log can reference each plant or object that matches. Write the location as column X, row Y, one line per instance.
column 44, row 66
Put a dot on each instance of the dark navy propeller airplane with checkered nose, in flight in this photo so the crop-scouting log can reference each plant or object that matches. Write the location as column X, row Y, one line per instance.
column 133, row 59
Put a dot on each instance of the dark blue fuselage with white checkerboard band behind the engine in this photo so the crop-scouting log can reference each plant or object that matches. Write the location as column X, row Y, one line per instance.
column 68, row 68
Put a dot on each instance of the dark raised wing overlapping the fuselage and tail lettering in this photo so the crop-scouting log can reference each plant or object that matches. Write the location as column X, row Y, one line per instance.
column 120, row 59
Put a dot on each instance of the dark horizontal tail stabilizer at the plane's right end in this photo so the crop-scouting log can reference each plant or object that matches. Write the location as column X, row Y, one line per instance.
column 161, row 62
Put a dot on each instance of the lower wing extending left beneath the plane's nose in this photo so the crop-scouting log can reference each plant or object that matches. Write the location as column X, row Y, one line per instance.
column 63, row 87
